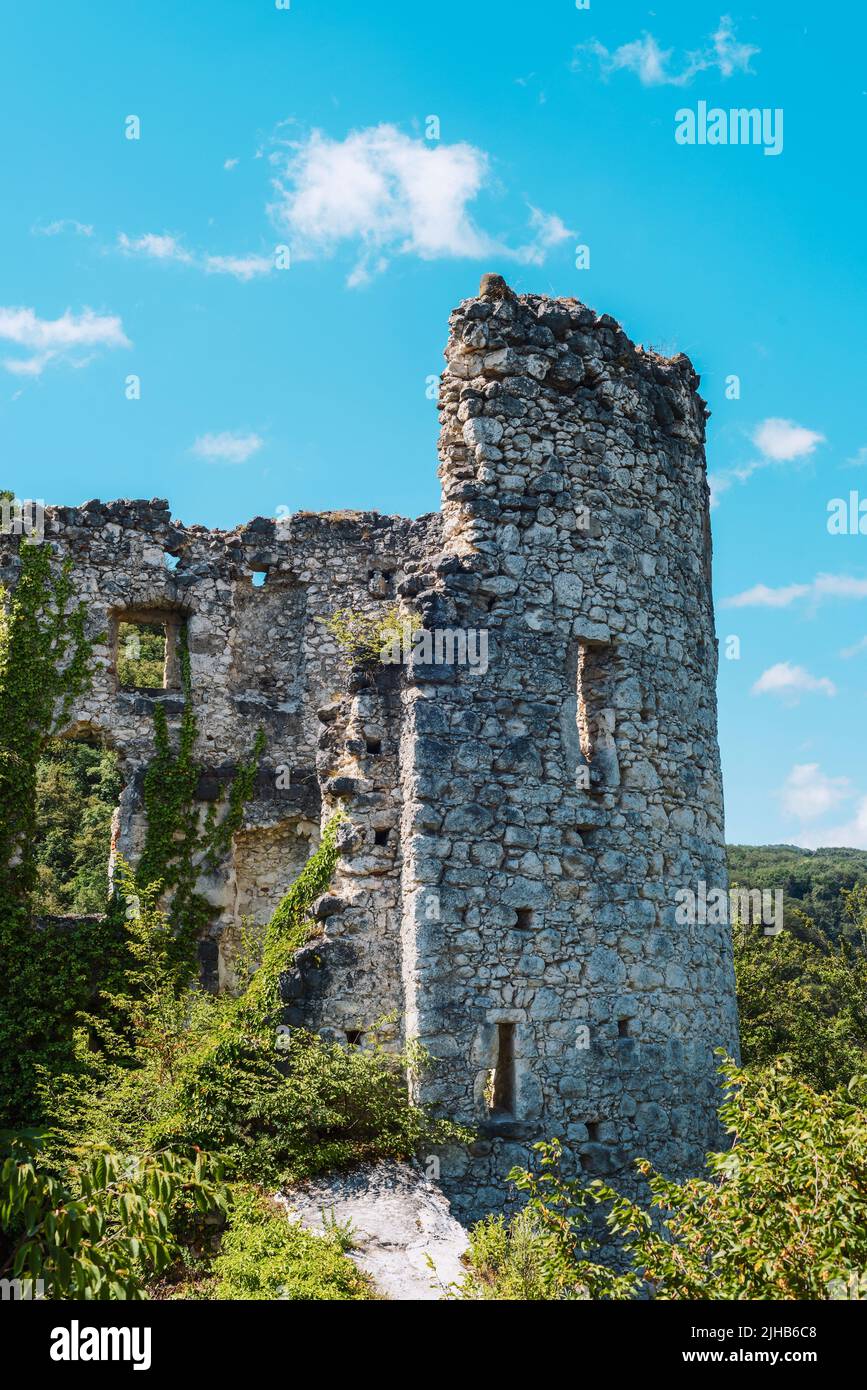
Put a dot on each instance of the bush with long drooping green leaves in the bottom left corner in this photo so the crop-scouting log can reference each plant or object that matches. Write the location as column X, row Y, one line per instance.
column 104, row 1229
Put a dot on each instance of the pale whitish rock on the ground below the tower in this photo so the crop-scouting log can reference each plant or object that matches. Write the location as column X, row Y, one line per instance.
column 399, row 1218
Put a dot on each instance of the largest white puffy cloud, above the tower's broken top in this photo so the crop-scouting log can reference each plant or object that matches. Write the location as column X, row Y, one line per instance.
column 393, row 195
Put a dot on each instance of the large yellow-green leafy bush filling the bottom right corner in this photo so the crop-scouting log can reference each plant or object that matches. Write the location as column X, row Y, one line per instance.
column 784, row 1214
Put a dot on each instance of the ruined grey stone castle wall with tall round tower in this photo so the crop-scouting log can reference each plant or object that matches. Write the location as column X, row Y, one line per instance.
column 515, row 836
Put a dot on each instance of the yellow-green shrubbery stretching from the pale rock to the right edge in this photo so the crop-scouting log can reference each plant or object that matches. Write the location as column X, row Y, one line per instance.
column 782, row 1216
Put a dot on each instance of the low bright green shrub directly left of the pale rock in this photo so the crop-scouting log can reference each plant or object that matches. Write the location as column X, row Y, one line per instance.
column 267, row 1256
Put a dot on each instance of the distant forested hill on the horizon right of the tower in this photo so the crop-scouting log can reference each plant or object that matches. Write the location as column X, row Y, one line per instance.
column 811, row 879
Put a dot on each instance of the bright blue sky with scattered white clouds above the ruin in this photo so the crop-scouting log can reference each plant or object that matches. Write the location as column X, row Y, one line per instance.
column 305, row 387
